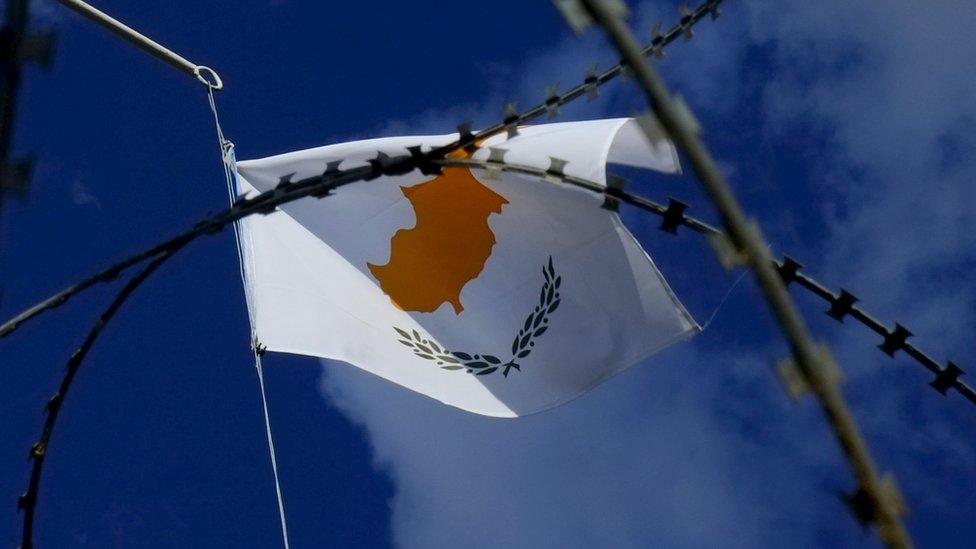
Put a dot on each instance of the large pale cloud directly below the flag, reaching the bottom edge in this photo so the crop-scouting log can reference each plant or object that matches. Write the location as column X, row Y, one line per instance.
column 643, row 458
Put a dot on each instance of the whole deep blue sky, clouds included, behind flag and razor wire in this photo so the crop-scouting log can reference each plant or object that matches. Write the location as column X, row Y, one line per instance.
column 846, row 129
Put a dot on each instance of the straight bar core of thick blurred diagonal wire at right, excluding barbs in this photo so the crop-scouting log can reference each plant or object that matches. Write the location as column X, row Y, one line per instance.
column 748, row 241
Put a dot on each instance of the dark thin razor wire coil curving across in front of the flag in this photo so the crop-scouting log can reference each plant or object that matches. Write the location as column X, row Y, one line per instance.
column 841, row 304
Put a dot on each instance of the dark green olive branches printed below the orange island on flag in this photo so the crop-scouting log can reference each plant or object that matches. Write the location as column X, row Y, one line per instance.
column 535, row 325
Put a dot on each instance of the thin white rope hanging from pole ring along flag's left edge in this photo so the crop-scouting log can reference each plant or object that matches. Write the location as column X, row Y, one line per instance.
column 227, row 157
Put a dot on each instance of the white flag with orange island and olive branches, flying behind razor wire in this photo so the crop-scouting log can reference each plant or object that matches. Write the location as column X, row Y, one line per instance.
column 501, row 296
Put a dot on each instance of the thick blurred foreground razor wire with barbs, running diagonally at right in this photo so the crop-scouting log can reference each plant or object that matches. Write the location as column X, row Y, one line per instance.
column 811, row 368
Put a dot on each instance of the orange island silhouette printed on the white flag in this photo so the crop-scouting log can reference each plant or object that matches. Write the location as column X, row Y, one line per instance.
column 447, row 248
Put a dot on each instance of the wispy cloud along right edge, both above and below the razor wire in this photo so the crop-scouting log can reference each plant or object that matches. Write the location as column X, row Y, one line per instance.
column 886, row 82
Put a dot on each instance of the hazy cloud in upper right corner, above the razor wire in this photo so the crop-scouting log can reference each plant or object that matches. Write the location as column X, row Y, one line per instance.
column 889, row 82
